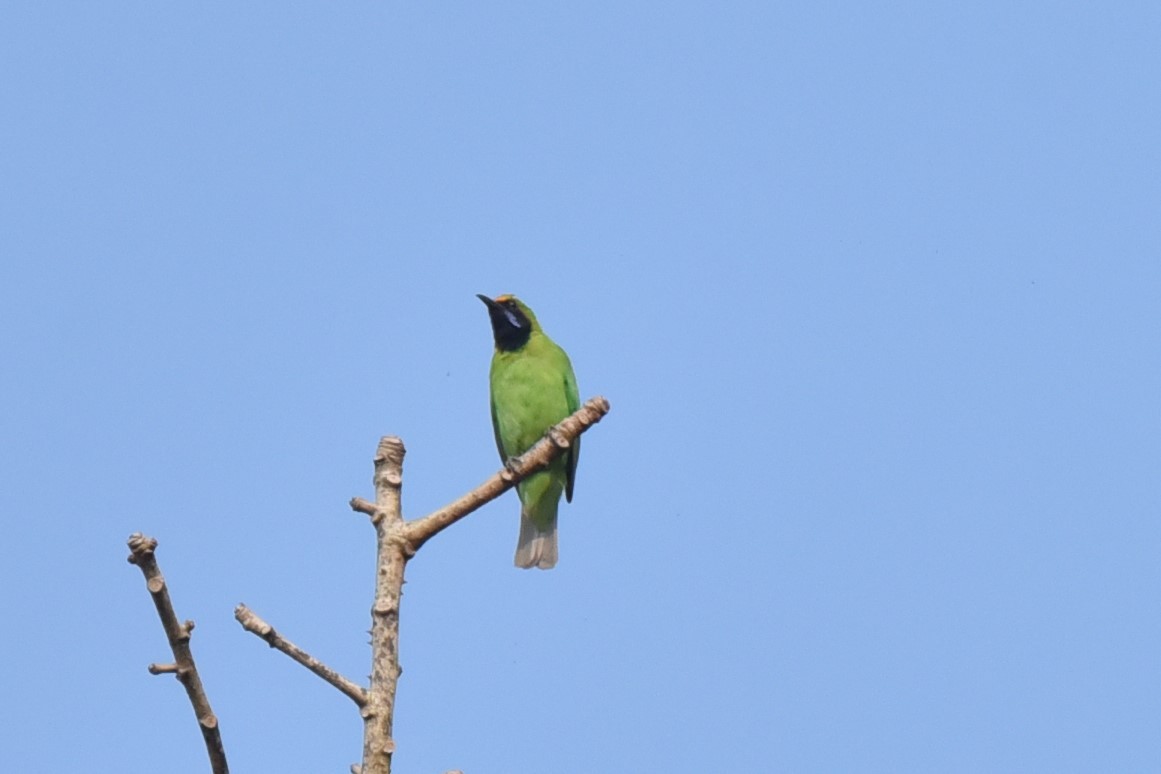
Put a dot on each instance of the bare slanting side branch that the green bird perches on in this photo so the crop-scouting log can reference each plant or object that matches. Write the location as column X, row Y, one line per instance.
column 556, row 442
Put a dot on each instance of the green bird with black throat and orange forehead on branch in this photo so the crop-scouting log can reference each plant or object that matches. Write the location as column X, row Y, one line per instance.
column 532, row 389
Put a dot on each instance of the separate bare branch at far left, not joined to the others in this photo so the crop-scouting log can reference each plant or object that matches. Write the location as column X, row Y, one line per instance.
column 142, row 554
